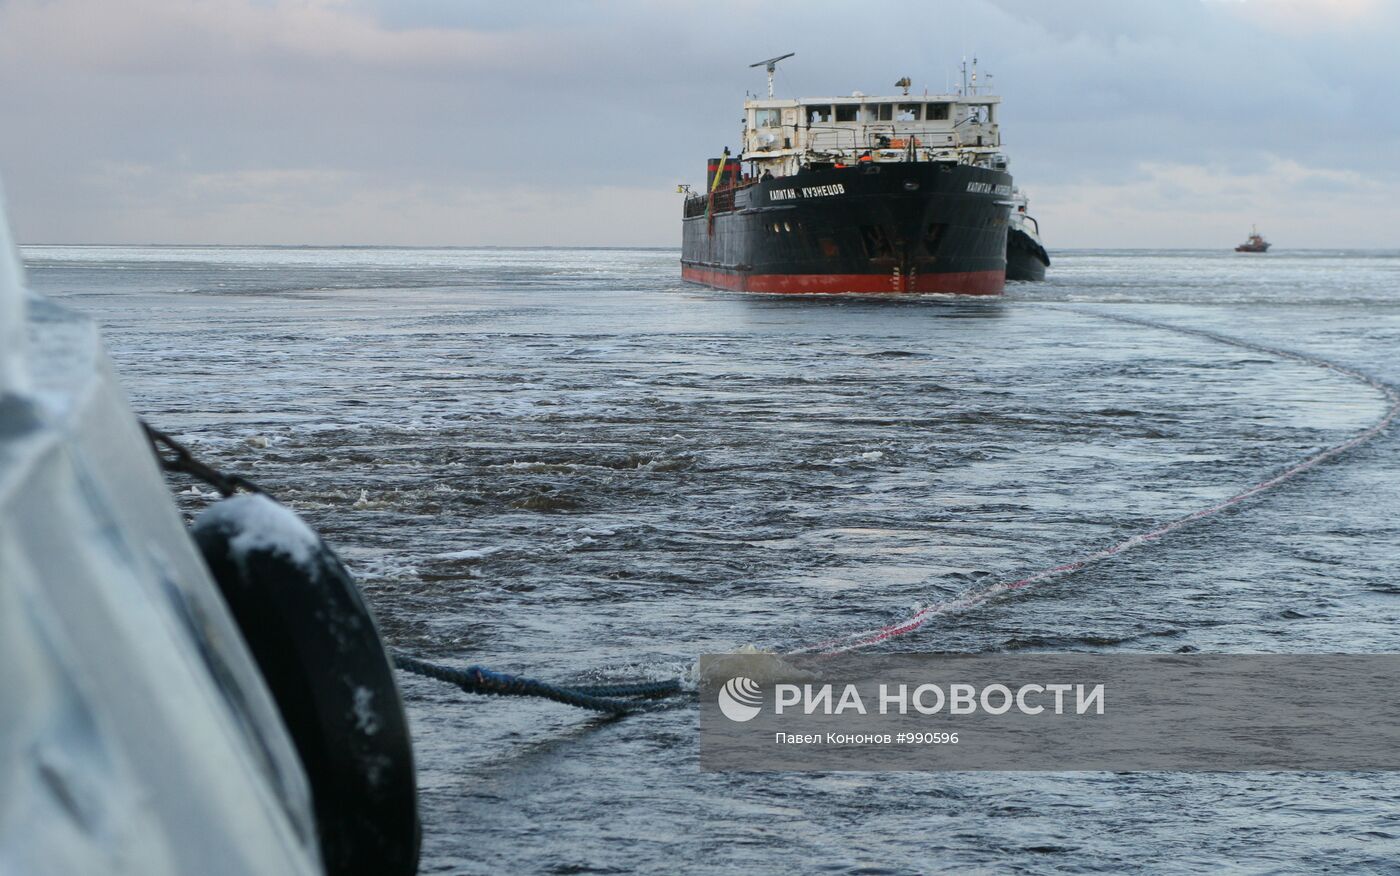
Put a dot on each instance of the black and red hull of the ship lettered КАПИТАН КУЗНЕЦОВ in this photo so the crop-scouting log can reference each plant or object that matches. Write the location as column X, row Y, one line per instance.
column 908, row 227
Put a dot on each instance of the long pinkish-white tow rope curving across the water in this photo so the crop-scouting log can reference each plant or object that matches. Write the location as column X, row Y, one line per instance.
column 866, row 639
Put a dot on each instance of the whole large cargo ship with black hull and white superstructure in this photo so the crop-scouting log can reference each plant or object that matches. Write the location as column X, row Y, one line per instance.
column 898, row 194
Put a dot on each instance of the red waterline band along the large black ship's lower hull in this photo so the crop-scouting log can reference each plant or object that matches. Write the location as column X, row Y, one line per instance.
column 967, row 283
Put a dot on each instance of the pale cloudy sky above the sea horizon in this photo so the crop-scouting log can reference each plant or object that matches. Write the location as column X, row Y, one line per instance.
column 464, row 122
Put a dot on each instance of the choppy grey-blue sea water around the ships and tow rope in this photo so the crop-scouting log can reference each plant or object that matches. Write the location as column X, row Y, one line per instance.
column 572, row 464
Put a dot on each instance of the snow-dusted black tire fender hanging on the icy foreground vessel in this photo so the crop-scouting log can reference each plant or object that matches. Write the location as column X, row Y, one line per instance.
column 321, row 656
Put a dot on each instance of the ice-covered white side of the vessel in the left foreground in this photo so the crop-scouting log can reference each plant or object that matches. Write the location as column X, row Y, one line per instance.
column 136, row 735
